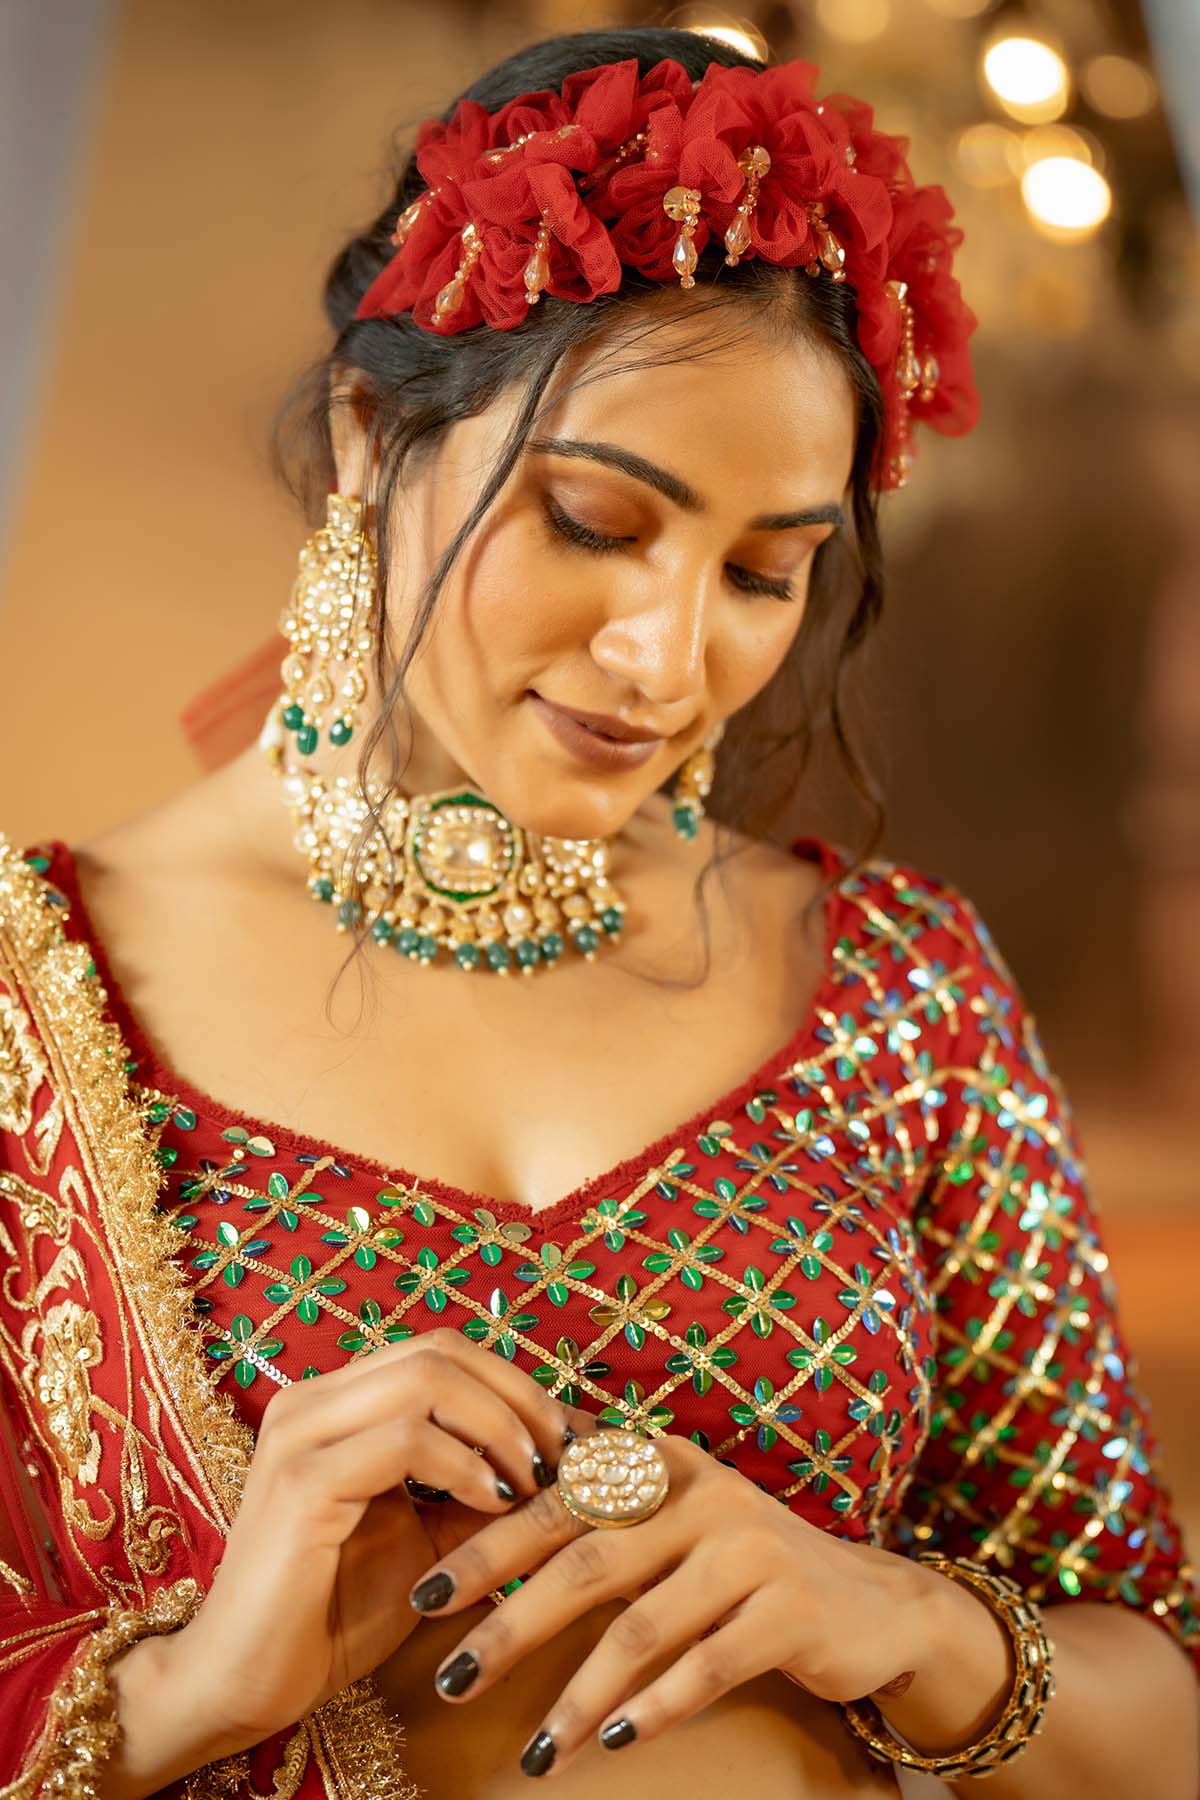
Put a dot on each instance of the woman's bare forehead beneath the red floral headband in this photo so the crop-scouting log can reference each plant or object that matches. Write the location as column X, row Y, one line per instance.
column 744, row 415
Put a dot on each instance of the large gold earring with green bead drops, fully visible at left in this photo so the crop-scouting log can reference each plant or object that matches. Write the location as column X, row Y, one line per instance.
column 330, row 620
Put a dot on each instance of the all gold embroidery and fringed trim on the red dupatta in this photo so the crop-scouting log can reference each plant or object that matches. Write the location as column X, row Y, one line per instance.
column 60, row 1052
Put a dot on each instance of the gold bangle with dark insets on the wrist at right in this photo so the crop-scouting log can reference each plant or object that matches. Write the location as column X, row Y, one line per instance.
column 1025, row 1709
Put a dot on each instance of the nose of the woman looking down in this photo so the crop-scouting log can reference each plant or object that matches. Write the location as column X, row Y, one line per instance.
column 661, row 643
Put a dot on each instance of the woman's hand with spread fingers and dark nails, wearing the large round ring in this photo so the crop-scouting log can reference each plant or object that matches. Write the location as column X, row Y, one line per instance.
column 724, row 1585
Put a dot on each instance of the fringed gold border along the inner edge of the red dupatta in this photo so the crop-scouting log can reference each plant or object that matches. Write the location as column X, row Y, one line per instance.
column 355, row 1740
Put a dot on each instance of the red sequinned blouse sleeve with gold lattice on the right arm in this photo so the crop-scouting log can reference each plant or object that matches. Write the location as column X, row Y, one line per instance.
column 1041, row 1459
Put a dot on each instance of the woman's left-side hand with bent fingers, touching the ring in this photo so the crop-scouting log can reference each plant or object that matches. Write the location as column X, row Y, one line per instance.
column 314, row 1585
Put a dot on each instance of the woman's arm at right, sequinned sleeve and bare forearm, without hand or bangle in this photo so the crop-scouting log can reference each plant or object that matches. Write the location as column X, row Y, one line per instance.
column 1041, row 1462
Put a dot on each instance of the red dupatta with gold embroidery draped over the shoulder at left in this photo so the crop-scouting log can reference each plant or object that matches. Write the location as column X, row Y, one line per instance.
column 136, row 1466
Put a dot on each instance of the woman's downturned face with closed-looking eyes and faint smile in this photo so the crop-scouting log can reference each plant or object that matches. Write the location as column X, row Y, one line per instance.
column 649, row 561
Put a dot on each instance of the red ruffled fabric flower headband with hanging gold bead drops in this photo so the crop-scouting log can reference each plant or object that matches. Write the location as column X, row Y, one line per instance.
column 559, row 192
